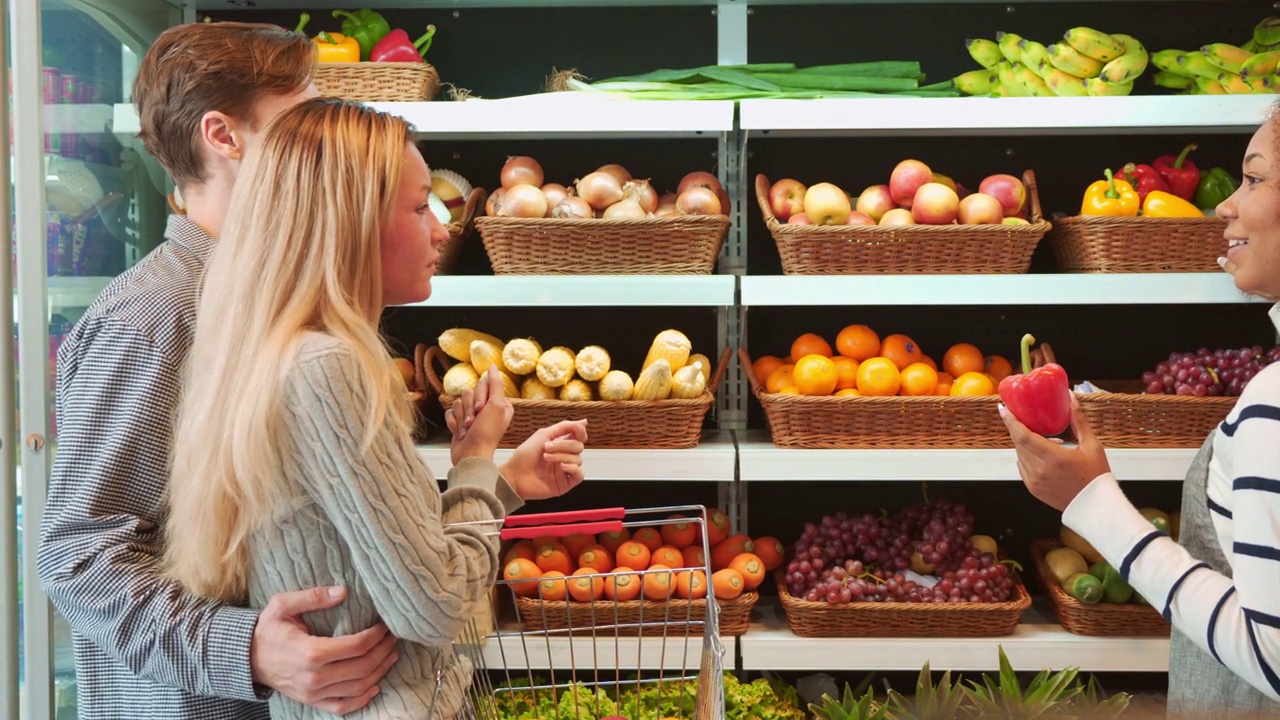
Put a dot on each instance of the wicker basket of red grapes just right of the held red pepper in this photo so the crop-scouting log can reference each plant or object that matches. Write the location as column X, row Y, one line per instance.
column 1130, row 418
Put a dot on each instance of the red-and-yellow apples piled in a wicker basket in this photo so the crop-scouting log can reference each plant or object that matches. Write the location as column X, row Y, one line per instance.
column 915, row 195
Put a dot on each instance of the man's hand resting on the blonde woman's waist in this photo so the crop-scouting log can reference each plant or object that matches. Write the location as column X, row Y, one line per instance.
column 337, row 676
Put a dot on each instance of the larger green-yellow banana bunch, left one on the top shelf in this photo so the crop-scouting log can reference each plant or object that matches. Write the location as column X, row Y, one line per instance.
column 1085, row 63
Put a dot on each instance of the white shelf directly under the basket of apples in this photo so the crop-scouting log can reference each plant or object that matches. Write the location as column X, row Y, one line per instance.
column 1158, row 289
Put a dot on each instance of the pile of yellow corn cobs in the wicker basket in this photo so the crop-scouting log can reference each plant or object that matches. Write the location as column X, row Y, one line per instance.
column 671, row 370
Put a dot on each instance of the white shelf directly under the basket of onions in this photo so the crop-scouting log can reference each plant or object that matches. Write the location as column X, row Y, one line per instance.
column 580, row 291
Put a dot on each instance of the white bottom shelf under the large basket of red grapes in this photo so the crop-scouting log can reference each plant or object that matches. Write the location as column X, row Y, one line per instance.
column 1037, row 645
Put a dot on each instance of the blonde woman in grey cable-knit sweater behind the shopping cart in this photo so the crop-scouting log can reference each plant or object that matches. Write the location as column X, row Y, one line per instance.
column 294, row 463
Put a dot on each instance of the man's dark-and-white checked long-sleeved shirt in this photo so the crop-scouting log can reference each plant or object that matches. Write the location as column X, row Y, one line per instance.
column 144, row 648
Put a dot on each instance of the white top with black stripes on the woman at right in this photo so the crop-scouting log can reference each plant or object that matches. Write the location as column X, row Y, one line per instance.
column 1237, row 619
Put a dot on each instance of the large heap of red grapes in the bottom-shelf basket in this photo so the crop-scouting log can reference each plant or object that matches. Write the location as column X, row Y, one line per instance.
column 867, row 559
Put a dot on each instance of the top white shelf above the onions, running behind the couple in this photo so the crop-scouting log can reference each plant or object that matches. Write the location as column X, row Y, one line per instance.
column 546, row 116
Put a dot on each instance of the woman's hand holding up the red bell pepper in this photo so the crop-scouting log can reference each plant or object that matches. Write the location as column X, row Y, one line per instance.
column 1055, row 473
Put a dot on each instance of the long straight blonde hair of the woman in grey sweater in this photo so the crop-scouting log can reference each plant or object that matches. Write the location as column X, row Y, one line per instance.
column 299, row 252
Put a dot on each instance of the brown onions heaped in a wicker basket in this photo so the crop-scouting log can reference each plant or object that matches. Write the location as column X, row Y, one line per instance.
column 609, row 193
